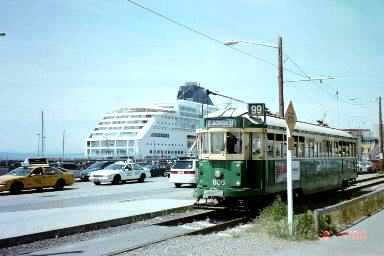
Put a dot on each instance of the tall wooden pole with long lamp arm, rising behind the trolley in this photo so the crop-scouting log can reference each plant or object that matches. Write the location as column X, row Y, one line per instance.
column 280, row 78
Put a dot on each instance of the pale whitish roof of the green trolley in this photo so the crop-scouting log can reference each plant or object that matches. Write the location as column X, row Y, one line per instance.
column 279, row 122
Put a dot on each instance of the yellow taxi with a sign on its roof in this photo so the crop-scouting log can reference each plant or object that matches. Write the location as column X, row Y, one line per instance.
column 35, row 174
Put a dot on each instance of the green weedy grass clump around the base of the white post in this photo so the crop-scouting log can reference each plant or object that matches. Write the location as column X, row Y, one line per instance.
column 273, row 220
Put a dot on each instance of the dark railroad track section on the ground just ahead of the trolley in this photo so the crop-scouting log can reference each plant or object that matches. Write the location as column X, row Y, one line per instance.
column 205, row 222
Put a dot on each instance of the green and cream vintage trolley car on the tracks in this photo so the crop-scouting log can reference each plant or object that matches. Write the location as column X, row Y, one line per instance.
column 243, row 157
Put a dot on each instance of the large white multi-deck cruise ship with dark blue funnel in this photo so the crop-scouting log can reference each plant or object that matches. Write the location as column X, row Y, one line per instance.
column 156, row 131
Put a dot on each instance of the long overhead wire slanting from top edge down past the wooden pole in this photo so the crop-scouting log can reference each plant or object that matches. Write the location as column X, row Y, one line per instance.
column 207, row 36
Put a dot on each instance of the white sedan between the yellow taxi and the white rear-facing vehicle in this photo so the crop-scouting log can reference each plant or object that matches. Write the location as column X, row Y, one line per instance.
column 118, row 172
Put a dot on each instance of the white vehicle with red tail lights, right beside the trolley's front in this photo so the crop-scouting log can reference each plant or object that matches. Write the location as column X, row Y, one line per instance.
column 184, row 172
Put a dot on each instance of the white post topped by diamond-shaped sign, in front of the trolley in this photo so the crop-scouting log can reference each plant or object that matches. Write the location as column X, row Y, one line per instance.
column 290, row 118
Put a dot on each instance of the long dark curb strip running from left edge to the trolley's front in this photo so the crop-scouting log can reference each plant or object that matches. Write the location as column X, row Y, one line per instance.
column 12, row 241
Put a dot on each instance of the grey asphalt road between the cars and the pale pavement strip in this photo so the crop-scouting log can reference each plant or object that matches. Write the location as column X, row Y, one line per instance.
column 86, row 193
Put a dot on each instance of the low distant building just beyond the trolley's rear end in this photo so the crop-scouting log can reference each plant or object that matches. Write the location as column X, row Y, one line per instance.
column 368, row 142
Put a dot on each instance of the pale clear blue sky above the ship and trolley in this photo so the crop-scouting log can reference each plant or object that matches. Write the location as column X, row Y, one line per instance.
column 79, row 59
